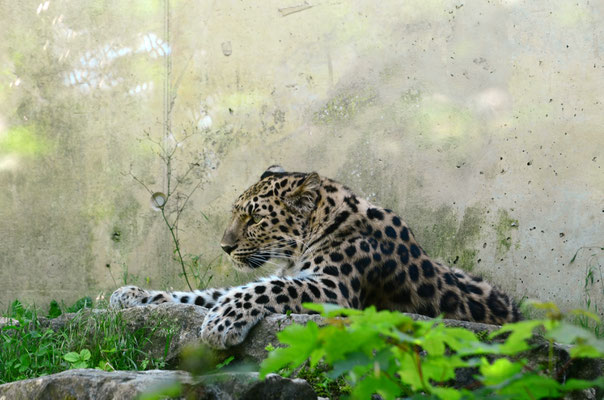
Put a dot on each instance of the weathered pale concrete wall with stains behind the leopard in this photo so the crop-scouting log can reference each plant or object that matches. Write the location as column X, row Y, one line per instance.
column 481, row 123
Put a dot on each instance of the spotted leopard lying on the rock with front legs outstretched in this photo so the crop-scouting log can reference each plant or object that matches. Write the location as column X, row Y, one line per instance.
column 331, row 246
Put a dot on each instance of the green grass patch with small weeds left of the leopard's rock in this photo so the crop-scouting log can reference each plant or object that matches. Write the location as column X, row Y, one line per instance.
column 29, row 348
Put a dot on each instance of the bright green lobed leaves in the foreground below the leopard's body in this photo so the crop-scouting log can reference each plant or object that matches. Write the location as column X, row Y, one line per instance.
column 390, row 354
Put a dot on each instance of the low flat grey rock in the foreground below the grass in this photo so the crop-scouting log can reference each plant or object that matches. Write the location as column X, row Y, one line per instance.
column 100, row 385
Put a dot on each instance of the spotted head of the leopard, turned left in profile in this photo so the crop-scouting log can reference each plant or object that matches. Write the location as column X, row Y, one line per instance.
column 270, row 220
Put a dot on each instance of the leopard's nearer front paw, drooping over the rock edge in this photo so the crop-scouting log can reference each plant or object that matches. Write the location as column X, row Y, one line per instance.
column 226, row 326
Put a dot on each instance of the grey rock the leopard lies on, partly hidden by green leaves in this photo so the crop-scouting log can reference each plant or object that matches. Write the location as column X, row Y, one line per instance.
column 180, row 325
